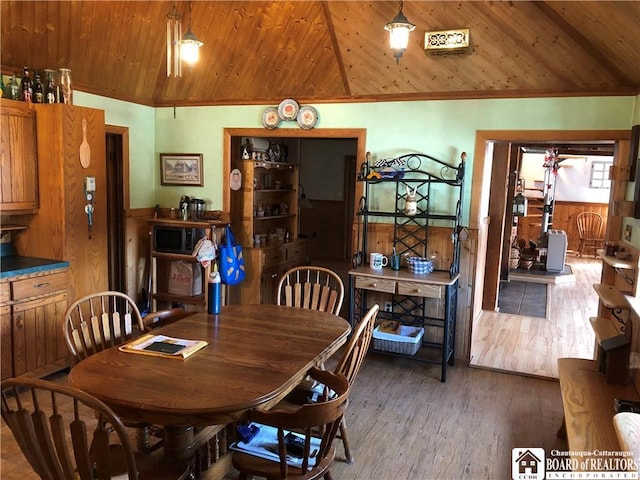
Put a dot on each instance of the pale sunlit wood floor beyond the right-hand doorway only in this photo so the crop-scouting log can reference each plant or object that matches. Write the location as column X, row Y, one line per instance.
column 531, row 345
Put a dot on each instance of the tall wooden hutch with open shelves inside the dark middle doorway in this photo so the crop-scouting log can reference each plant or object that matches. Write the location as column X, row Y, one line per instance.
column 266, row 203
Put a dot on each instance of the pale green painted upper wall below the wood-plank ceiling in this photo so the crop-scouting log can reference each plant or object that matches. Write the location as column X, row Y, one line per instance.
column 440, row 128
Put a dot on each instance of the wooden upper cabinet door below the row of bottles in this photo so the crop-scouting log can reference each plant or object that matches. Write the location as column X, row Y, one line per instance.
column 18, row 160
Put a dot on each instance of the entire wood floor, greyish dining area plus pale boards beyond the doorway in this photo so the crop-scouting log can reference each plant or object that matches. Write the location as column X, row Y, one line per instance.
column 405, row 424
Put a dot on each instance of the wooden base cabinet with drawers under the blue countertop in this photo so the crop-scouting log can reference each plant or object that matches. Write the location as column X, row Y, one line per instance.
column 32, row 316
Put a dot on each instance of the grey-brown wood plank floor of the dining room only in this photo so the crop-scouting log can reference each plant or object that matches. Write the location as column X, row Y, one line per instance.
column 405, row 424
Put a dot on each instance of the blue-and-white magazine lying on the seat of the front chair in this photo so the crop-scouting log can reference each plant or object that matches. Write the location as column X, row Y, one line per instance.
column 264, row 444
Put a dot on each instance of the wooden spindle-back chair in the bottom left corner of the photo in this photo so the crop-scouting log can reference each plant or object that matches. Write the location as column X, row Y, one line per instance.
column 65, row 433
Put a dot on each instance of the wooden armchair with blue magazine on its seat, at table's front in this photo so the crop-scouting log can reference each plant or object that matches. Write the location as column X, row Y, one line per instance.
column 319, row 420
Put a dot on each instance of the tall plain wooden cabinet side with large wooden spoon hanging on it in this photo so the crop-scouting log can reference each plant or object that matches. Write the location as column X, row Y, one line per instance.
column 60, row 230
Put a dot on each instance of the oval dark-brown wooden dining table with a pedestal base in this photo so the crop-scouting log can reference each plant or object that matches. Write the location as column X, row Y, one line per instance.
column 256, row 355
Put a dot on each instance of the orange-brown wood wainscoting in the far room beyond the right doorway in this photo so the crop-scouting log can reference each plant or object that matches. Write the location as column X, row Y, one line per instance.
column 564, row 218
